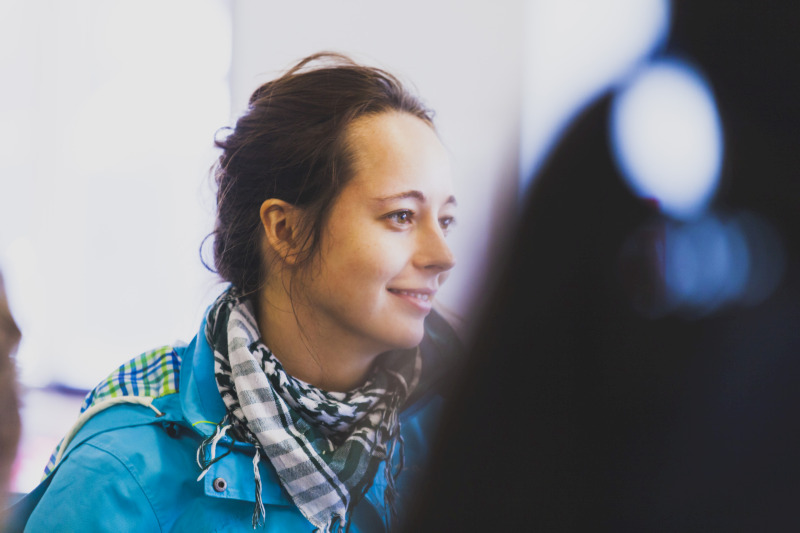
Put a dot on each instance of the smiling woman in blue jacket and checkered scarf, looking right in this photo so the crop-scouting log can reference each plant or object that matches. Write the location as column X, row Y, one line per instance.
column 315, row 377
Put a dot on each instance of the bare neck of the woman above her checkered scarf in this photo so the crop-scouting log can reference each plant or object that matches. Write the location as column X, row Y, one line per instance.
column 307, row 349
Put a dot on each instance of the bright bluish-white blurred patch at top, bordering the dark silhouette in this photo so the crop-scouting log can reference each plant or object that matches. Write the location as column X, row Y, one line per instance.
column 574, row 50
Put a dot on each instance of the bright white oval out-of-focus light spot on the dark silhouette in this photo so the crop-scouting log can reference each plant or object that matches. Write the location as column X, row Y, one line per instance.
column 667, row 137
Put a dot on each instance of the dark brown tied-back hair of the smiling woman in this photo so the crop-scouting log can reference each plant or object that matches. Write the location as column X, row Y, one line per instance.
column 291, row 144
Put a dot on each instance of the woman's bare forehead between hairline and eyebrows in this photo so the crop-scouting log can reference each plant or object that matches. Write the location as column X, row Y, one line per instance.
column 396, row 151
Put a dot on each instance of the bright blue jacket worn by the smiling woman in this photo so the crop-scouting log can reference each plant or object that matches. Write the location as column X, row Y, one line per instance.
column 128, row 469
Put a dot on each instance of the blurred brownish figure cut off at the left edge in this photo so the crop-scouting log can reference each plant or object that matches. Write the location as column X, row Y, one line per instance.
column 9, row 403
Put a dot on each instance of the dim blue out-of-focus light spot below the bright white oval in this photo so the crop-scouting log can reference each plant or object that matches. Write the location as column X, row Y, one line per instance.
column 695, row 268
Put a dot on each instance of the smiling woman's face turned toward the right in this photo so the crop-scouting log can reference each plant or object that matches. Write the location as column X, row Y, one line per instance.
column 383, row 254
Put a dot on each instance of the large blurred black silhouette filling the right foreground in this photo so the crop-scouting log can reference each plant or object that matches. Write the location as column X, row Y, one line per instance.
column 575, row 412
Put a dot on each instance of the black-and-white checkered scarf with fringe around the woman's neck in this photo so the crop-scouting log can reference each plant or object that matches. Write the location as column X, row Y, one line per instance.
column 326, row 447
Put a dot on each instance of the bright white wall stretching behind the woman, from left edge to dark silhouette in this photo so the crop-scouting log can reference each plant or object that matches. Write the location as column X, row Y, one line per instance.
column 111, row 110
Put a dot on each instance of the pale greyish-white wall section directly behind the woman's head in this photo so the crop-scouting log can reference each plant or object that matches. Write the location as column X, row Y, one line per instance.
column 464, row 58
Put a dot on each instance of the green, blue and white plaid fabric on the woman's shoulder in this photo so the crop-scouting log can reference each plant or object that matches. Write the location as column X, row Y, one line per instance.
column 152, row 374
